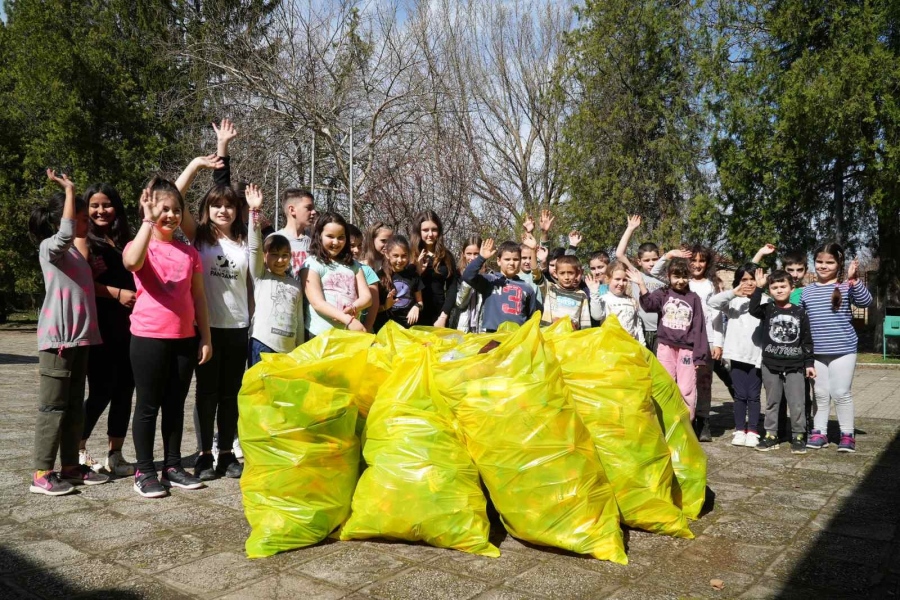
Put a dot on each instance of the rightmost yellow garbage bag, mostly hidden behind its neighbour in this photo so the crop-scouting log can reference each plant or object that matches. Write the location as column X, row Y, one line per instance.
column 688, row 458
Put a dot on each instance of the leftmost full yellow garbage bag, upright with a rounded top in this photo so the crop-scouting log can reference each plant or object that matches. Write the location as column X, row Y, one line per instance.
column 301, row 455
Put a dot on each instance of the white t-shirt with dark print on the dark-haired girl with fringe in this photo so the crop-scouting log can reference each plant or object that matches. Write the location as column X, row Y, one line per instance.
column 225, row 270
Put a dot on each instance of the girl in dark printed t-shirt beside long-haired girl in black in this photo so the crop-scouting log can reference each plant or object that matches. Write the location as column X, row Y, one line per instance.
column 403, row 301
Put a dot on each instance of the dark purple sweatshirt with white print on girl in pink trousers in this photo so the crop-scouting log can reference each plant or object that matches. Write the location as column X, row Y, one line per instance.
column 681, row 321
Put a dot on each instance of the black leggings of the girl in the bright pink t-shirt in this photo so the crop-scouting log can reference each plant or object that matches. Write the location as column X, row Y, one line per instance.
column 162, row 379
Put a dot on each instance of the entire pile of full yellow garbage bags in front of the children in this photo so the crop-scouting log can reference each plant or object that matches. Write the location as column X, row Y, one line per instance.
column 572, row 434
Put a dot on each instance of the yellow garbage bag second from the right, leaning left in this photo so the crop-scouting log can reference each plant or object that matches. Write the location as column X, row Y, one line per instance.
column 605, row 370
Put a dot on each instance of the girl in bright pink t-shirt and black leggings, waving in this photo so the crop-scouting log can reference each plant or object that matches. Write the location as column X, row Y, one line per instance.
column 170, row 297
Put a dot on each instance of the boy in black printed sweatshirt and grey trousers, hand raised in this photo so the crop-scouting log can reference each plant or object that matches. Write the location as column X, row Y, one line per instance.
column 787, row 356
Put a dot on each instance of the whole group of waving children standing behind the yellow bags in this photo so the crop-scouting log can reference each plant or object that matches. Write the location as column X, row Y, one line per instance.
column 207, row 295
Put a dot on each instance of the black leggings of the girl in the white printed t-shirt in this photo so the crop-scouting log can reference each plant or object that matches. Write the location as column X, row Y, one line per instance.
column 218, row 384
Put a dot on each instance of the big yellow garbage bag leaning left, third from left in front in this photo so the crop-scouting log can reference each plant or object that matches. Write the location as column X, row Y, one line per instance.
column 534, row 454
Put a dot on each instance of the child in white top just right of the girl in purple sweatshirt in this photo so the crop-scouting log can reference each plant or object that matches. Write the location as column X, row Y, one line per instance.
column 705, row 284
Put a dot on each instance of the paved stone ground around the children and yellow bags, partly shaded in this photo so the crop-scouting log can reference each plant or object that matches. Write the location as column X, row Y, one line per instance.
column 782, row 526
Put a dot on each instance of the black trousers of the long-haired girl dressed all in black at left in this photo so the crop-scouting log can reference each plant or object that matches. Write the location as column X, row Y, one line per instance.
column 110, row 383
